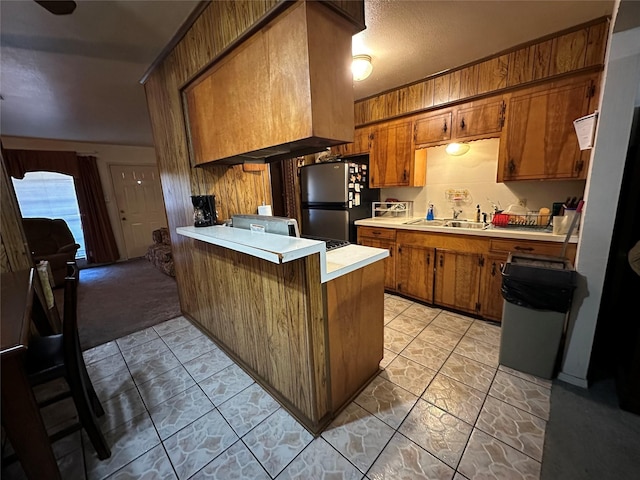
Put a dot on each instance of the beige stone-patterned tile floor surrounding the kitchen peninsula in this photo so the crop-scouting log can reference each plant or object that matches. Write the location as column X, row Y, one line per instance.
column 441, row 408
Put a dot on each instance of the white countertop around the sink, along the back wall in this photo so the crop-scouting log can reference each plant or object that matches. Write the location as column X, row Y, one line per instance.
column 495, row 232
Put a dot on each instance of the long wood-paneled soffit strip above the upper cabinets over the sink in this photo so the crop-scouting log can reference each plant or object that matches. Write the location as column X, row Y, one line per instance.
column 576, row 50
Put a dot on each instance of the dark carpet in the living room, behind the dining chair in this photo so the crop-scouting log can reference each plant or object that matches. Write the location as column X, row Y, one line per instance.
column 122, row 298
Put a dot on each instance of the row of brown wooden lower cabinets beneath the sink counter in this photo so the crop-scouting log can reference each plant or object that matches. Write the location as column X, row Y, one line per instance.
column 456, row 271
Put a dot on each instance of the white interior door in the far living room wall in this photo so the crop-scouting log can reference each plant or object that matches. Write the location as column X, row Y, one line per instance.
column 140, row 205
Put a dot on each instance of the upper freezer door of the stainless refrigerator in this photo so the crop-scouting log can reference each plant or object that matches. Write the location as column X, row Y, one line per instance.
column 325, row 183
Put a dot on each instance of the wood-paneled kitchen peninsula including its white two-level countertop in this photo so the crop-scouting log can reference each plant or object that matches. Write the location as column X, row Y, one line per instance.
column 305, row 323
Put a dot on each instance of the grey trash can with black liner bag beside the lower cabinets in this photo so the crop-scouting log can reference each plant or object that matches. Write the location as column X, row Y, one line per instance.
column 537, row 291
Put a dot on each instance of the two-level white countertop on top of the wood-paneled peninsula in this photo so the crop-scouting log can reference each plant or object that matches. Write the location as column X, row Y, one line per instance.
column 282, row 249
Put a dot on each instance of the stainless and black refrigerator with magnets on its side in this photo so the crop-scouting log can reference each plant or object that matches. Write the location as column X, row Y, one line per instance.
column 334, row 196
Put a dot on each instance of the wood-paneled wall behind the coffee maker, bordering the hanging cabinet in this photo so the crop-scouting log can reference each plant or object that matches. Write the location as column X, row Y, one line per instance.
column 216, row 29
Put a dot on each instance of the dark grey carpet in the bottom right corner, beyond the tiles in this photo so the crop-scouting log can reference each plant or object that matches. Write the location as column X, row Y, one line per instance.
column 588, row 436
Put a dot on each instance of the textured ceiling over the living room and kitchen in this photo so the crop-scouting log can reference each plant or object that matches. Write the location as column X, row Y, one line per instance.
column 77, row 77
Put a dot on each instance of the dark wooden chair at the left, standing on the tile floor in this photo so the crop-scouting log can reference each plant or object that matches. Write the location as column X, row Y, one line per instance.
column 56, row 356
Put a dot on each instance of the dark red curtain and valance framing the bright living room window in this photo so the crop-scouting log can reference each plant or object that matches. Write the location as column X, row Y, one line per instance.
column 100, row 243
